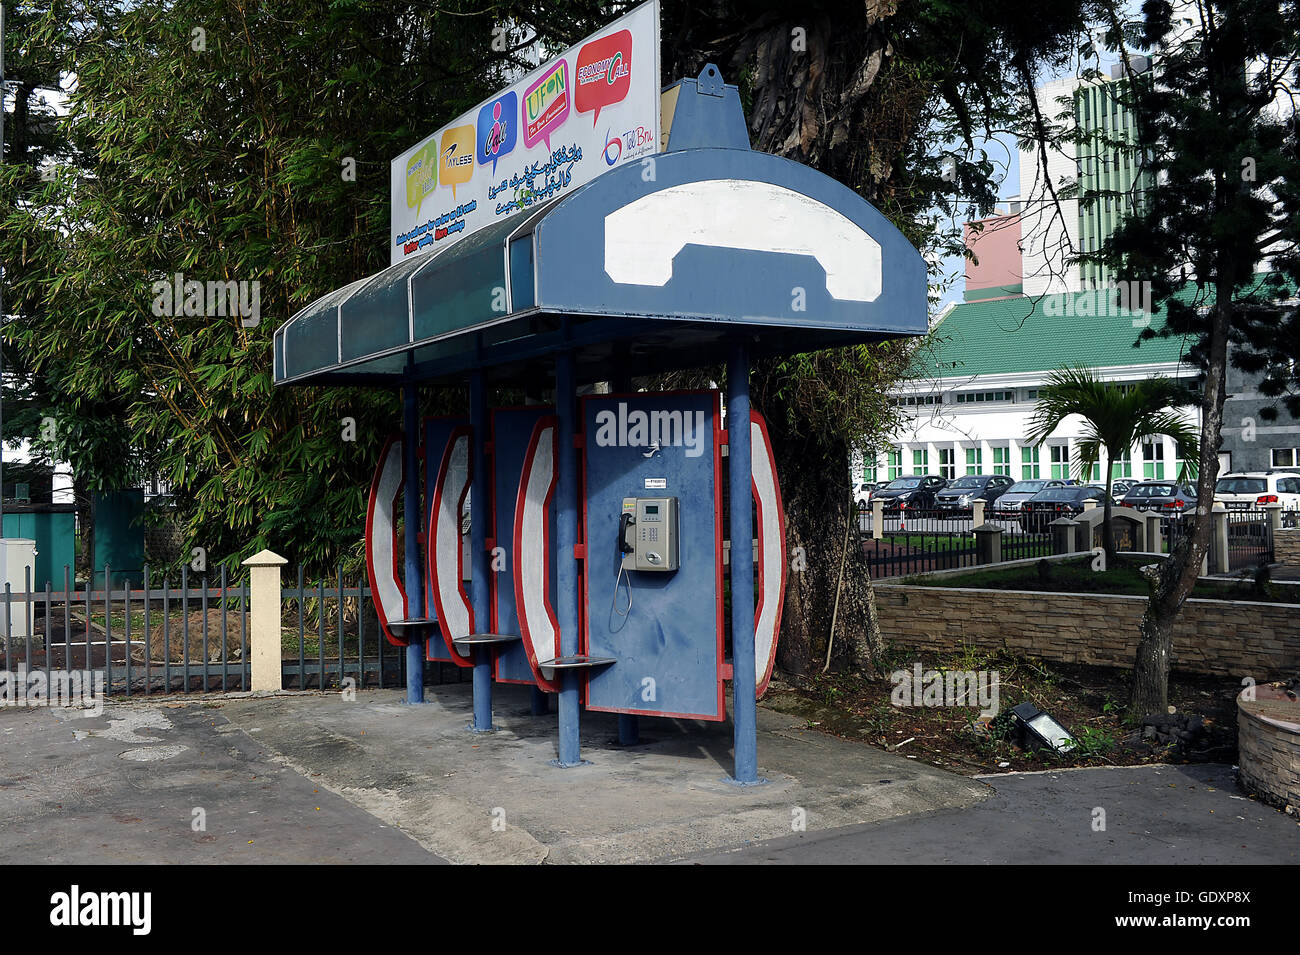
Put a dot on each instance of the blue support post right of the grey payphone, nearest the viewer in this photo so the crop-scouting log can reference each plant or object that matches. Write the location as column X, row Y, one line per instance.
column 740, row 477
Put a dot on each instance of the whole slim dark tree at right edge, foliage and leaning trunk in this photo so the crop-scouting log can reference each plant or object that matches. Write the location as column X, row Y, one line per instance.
column 1220, row 138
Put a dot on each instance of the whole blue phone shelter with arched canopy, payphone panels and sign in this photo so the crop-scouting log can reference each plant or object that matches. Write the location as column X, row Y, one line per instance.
column 627, row 550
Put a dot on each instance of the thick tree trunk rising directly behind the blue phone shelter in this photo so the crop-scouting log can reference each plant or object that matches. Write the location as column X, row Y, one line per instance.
column 813, row 106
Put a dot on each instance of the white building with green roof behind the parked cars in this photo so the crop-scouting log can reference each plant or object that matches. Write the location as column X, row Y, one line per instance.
column 980, row 377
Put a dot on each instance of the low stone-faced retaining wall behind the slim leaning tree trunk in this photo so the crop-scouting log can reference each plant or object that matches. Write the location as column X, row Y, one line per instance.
column 1229, row 639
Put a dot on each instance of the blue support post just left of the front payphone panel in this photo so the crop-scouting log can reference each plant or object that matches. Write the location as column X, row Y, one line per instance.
column 566, row 563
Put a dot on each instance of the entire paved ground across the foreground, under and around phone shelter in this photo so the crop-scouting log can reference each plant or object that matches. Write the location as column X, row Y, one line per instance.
column 319, row 779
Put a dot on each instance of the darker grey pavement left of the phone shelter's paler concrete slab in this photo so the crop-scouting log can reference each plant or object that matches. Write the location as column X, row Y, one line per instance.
column 148, row 784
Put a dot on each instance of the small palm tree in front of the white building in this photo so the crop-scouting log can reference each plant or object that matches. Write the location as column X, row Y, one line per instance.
column 1115, row 419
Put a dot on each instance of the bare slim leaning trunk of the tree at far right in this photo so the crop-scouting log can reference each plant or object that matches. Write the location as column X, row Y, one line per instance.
column 1178, row 575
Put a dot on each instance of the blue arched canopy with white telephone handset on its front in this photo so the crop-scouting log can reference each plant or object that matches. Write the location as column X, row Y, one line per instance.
column 652, row 267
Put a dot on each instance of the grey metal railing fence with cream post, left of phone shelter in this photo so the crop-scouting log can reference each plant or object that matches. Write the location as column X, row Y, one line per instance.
column 154, row 637
